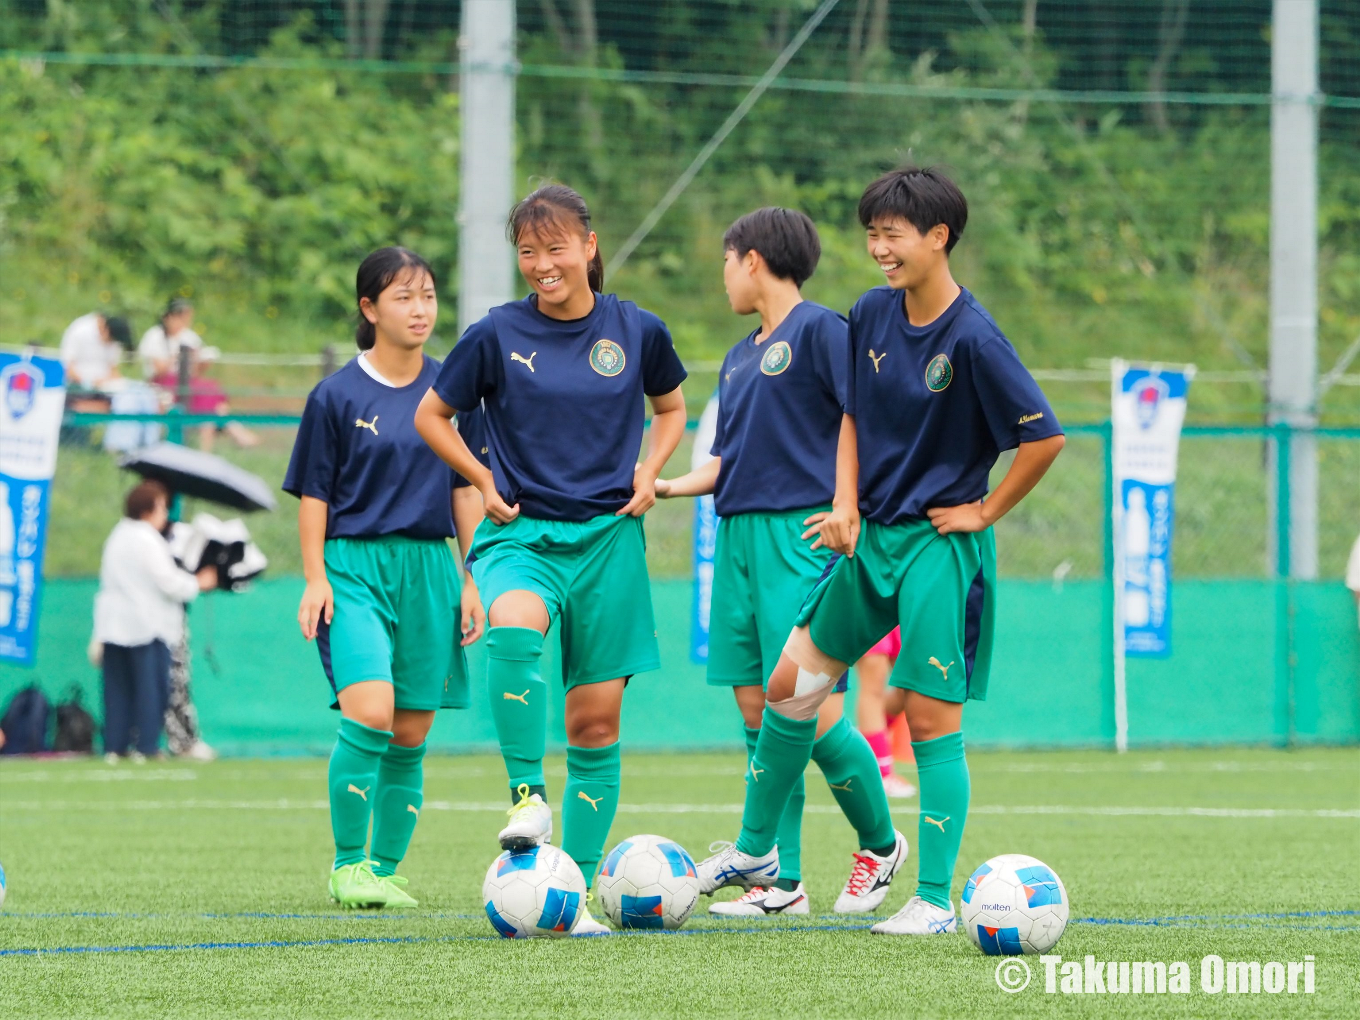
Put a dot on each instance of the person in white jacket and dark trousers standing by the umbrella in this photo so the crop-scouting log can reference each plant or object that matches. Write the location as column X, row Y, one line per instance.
column 138, row 618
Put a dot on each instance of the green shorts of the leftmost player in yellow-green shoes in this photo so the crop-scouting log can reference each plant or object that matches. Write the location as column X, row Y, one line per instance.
column 396, row 618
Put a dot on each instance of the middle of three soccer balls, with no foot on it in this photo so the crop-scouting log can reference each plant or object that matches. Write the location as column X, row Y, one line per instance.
column 648, row 882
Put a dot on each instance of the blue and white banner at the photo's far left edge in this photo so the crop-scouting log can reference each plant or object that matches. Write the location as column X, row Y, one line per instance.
column 32, row 402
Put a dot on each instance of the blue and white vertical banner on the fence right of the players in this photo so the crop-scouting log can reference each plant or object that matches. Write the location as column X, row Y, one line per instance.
column 1150, row 409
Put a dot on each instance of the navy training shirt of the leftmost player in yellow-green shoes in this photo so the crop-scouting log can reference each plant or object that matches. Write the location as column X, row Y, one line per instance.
column 358, row 451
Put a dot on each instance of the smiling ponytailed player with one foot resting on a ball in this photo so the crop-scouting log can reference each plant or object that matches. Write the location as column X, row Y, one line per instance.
column 562, row 377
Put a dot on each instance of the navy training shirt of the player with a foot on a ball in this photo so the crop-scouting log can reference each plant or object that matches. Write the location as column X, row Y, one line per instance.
column 564, row 402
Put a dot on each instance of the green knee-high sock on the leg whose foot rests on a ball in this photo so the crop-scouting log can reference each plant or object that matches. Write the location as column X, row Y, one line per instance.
column 519, row 701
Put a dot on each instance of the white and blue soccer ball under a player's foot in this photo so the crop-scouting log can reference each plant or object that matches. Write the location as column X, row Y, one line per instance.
column 535, row 893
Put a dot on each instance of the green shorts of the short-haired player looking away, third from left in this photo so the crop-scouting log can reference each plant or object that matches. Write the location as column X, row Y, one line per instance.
column 762, row 572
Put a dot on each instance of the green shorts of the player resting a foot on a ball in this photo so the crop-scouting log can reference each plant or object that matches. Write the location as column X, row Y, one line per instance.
column 592, row 576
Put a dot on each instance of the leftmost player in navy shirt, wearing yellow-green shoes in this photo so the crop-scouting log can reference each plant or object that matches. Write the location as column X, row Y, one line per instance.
column 383, row 598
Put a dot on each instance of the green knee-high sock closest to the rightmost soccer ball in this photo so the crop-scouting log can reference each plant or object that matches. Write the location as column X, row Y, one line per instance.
column 943, row 773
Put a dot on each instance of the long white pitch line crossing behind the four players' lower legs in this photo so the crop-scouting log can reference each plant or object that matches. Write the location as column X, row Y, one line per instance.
column 471, row 807
